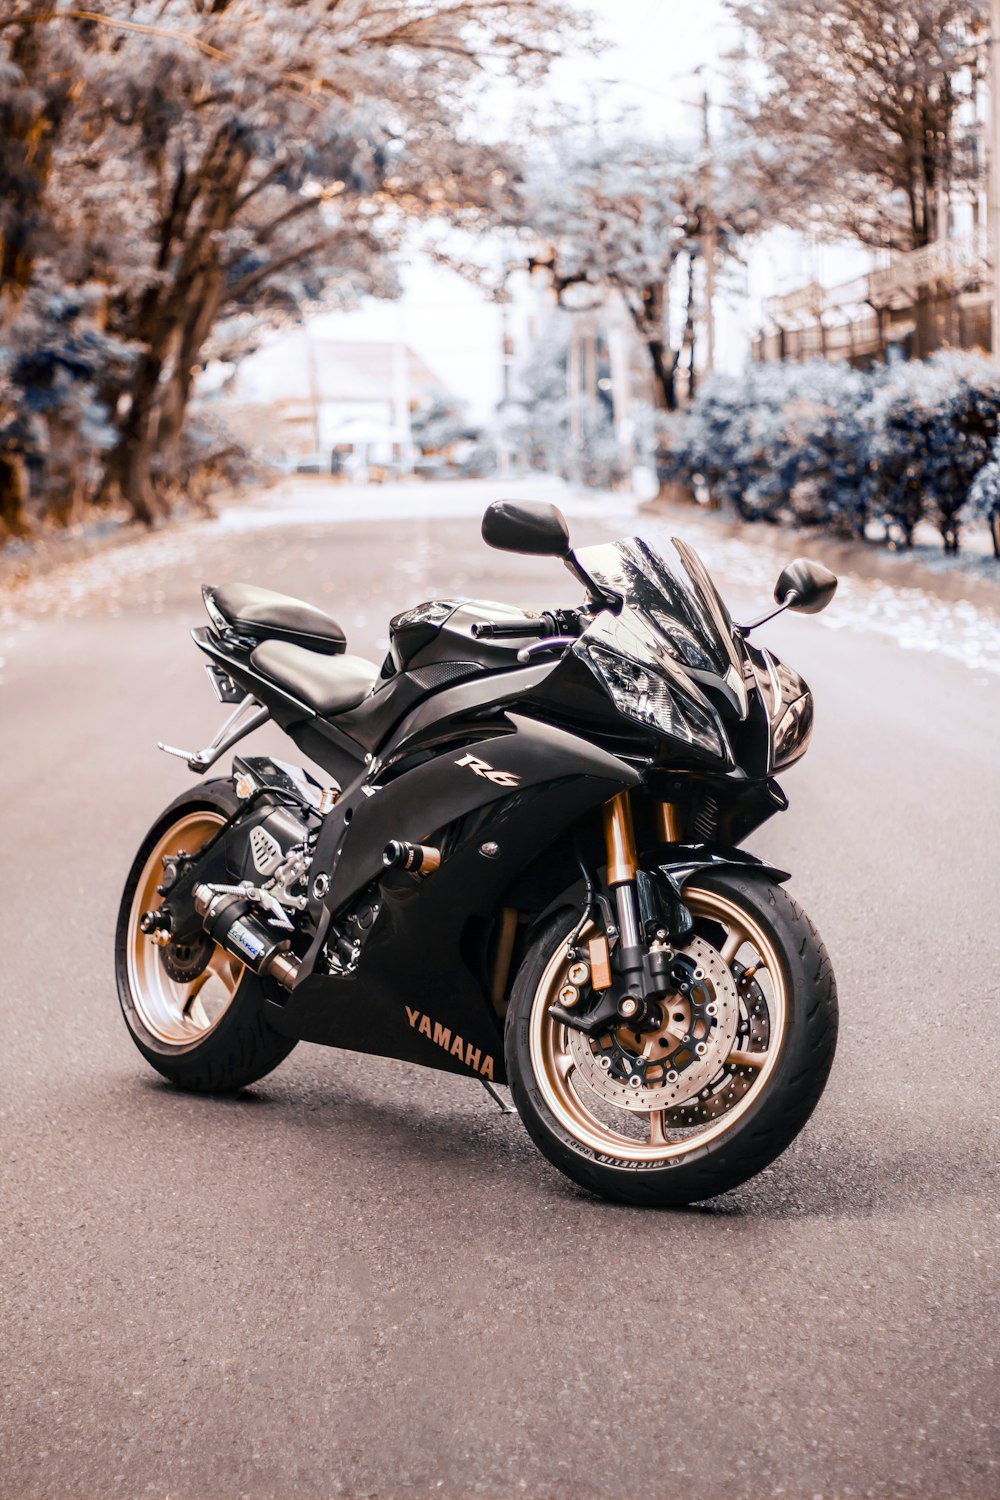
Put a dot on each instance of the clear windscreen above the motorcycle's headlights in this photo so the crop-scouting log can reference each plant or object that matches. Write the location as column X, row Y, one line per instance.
column 692, row 623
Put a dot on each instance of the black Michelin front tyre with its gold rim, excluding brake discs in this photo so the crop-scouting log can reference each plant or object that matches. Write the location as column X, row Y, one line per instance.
column 725, row 1144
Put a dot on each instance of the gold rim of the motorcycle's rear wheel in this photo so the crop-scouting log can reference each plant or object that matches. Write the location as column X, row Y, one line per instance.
column 178, row 1013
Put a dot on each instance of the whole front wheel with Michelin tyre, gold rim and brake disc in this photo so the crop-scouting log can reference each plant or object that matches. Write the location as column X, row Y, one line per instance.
column 722, row 1082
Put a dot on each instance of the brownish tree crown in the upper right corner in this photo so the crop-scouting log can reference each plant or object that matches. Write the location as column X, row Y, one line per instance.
column 857, row 113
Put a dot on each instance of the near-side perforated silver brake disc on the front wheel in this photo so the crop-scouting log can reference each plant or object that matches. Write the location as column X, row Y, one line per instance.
column 674, row 1063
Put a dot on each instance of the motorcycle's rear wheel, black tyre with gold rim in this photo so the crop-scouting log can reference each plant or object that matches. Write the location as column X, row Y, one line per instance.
column 199, row 1018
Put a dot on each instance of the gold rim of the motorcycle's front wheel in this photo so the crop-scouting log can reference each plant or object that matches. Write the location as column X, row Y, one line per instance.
column 555, row 1069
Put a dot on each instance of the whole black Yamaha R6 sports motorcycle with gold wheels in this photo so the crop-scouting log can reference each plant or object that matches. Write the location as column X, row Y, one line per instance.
column 521, row 863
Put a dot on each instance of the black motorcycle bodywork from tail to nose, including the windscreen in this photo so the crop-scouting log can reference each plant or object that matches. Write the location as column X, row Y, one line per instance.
column 496, row 764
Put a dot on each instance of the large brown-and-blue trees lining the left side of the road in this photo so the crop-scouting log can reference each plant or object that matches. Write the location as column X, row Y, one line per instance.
column 170, row 167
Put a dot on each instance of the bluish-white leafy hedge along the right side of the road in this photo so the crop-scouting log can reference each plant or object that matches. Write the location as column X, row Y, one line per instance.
column 825, row 445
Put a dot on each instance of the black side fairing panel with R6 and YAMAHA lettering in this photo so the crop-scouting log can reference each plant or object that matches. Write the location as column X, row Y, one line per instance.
column 419, row 991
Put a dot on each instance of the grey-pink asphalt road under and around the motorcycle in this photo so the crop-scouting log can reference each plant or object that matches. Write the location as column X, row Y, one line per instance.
column 361, row 1279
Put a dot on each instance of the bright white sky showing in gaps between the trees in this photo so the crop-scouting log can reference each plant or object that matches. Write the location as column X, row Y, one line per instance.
column 662, row 55
